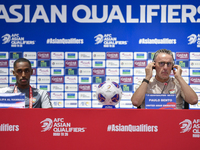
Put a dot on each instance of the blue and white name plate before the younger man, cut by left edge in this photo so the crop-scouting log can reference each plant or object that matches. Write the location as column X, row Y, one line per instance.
column 12, row 100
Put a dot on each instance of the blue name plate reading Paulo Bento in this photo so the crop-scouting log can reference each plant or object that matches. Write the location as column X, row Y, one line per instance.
column 160, row 101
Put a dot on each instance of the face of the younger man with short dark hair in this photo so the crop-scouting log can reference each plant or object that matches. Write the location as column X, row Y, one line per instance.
column 23, row 71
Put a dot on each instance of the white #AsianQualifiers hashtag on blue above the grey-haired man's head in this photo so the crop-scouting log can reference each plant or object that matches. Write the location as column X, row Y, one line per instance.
column 157, row 41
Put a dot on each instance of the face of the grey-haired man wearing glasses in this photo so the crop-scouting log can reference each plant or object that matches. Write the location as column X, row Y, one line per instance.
column 163, row 63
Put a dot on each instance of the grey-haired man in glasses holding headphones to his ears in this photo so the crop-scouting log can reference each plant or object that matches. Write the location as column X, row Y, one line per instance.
column 162, row 83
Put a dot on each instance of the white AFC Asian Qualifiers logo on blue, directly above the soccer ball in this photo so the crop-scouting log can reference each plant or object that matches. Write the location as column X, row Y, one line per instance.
column 108, row 40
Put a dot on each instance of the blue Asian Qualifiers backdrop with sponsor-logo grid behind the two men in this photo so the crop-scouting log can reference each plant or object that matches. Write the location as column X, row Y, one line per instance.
column 75, row 45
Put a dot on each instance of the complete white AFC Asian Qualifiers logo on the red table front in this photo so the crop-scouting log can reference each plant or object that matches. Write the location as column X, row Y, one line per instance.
column 59, row 127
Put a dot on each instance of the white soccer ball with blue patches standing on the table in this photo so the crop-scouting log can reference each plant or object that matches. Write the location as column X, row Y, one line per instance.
column 109, row 93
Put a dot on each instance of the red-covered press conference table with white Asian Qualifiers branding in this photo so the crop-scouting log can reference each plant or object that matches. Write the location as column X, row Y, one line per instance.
column 99, row 129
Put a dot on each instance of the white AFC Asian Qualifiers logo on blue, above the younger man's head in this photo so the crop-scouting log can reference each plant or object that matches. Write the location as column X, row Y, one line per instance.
column 16, row 40
